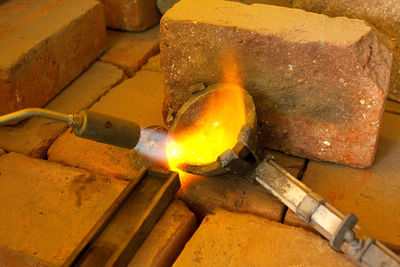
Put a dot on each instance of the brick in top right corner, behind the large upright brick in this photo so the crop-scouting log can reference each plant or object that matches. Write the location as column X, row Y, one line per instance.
column 385, row 16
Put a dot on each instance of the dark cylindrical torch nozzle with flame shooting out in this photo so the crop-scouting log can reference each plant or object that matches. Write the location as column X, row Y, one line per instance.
column 107, row 129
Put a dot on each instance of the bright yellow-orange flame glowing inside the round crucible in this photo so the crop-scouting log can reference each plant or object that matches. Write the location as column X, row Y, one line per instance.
column 216, row 131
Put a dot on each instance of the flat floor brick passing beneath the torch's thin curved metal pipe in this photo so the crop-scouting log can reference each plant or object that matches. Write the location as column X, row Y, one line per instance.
column 33, row 137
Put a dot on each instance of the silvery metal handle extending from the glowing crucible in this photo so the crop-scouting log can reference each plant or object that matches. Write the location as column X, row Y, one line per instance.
column 322, row 216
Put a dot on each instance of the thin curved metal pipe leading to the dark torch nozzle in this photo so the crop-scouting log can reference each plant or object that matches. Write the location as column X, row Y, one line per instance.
column 36, row 112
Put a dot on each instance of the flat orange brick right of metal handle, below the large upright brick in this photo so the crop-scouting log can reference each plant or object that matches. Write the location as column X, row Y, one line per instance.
column 372, row 194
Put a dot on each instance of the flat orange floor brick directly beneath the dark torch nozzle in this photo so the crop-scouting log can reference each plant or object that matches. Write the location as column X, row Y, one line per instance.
column 138, row 99
